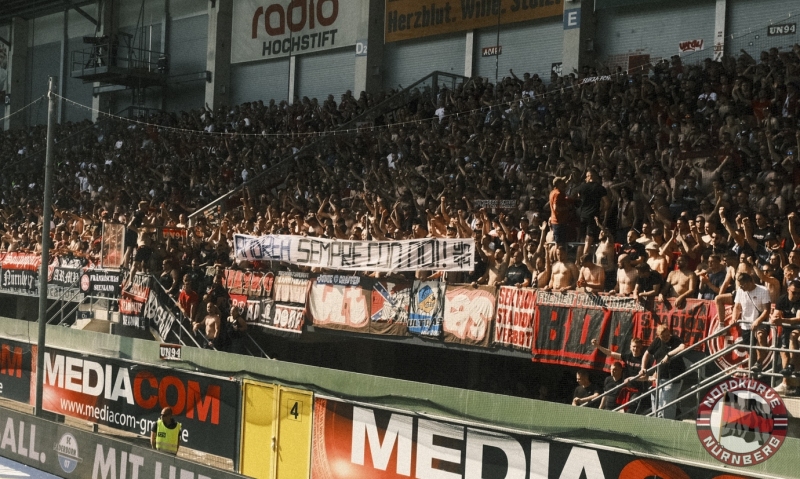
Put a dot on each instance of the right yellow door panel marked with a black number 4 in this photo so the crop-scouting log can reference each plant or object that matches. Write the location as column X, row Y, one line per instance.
column 294, row 434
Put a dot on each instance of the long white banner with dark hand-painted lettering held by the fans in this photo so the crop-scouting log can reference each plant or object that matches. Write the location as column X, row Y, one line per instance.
column 440, row 254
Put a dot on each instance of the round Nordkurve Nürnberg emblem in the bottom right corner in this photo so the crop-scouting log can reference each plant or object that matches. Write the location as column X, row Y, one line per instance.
column 742, row 422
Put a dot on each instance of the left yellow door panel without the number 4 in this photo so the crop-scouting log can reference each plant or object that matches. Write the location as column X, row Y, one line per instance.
column 258, row 430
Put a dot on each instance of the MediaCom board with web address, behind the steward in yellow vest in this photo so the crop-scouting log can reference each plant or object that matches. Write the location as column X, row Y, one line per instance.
column 128, row 396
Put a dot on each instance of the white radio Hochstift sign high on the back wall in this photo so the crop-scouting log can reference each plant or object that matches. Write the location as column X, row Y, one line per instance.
column 263, row 31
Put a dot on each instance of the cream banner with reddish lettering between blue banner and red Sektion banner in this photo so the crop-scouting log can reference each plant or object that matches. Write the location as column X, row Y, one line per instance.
column 468, row 314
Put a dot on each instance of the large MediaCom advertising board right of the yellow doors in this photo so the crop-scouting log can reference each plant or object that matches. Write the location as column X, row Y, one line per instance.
column 360, row 441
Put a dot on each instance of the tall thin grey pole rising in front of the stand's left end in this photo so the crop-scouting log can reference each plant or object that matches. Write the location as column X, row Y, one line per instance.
column 46, row 217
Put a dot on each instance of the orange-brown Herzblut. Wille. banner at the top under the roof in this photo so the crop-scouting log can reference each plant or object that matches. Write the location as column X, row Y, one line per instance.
column 406, row 19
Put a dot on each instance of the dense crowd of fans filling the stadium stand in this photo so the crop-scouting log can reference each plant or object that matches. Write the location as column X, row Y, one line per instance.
column 676, row 181
